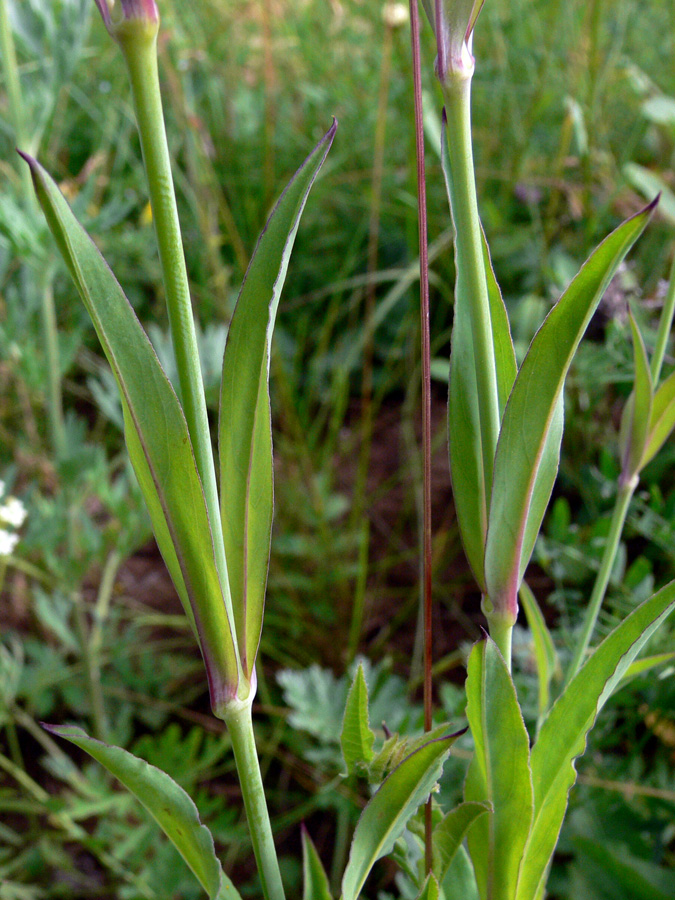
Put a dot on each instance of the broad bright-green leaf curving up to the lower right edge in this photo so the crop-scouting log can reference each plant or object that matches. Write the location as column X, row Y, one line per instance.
column 563, row 735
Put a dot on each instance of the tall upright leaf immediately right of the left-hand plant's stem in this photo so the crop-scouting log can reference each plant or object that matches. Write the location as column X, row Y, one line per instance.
column 245, row 435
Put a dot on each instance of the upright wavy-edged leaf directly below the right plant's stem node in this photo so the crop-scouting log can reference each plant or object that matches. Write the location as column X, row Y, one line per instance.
column 499, row 773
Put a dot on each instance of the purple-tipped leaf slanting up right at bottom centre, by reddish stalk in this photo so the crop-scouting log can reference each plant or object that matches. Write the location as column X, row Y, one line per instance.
column 386, row 814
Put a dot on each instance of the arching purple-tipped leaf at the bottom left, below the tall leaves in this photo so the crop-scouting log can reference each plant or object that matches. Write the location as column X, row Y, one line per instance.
column 167, row 803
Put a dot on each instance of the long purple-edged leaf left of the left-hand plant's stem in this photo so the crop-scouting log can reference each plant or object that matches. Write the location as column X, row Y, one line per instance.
column 157, row 438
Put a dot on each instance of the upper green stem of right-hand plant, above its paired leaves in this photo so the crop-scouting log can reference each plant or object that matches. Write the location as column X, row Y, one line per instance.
column 469, row 258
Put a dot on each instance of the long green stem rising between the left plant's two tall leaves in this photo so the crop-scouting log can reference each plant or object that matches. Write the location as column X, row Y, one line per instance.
column 138, row 41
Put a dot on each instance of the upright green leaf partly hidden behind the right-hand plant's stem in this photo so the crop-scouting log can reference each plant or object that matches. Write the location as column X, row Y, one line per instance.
column 470, row 491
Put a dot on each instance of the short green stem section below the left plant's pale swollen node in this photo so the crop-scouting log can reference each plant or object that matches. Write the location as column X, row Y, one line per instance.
column 240, row 727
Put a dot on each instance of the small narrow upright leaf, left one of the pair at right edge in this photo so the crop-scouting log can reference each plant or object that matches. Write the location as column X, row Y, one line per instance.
column 637, row 412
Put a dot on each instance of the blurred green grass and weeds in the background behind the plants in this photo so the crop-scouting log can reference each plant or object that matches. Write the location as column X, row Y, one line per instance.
column 574, row 126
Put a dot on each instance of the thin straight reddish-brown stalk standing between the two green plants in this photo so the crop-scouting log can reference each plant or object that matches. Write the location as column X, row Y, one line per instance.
column 426, row 388
